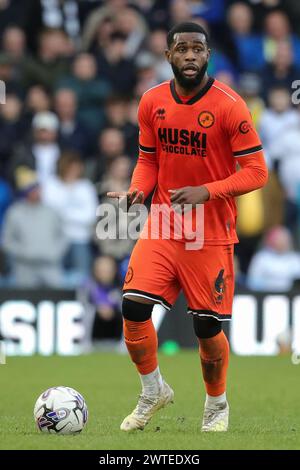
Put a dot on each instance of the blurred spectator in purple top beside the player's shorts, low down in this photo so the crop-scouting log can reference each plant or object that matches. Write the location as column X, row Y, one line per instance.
column 101, row 297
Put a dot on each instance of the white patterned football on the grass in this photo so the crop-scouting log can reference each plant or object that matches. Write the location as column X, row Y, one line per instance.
column 60, row 410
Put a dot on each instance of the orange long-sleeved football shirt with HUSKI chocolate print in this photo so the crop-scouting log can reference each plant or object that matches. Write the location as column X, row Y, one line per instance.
column 199, row 142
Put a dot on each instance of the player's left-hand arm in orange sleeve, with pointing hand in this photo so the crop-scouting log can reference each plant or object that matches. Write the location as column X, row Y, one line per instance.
column 144, row 178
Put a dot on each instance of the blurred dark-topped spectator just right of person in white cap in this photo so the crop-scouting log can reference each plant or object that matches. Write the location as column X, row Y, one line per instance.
column 73, row 134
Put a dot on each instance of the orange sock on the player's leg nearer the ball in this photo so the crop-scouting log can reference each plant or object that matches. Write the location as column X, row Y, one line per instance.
column 141, row 342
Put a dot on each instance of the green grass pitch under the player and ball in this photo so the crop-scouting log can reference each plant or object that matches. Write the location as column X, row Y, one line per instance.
column 264, row 395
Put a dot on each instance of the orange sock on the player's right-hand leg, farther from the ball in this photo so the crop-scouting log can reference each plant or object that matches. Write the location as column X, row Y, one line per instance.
column 214, row 355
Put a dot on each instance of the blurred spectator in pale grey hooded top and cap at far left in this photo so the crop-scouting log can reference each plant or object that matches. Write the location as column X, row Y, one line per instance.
column 33, row 237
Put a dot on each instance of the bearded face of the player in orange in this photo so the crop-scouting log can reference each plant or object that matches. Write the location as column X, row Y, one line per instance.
column 188, row 57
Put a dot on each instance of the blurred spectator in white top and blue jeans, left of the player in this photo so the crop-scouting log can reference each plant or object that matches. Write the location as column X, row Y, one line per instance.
column 75, row 200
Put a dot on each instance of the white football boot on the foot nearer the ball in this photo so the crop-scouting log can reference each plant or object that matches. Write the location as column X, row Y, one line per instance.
column 147, row 406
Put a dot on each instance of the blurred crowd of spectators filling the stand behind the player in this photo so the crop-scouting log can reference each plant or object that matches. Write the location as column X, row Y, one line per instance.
column 74, row 72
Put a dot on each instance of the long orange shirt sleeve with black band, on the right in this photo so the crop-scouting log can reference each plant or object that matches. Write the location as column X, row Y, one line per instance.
column 247, row 151
